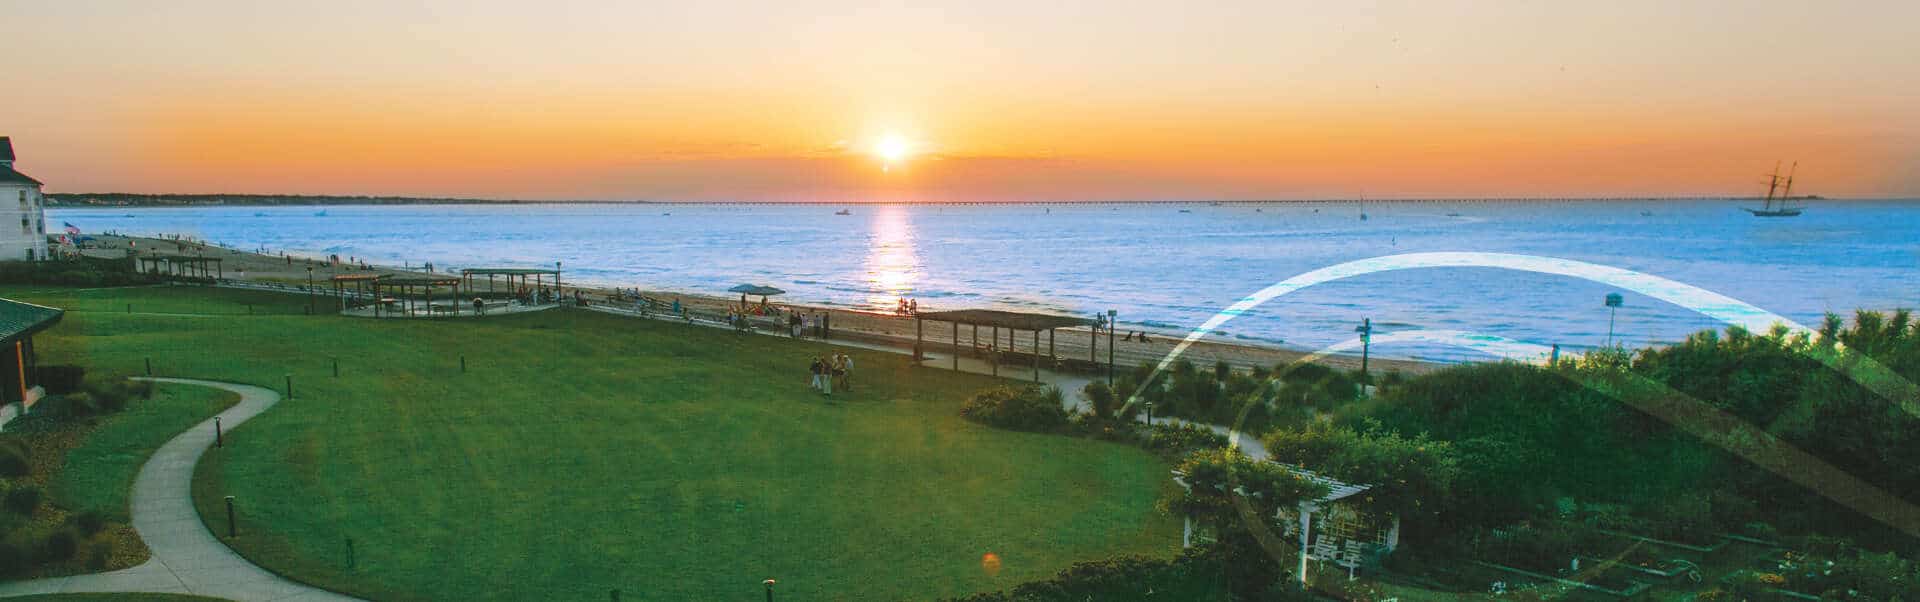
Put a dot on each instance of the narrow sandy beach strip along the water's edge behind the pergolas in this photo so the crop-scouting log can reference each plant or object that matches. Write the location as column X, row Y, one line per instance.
column 884, row 329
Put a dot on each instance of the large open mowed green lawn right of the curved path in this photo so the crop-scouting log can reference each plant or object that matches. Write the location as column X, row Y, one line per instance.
column 585, row 453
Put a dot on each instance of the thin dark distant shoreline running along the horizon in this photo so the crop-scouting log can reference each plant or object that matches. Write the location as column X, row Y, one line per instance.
column 82, row 200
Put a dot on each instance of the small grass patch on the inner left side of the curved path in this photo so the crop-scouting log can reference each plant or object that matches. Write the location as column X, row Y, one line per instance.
column 99, row 473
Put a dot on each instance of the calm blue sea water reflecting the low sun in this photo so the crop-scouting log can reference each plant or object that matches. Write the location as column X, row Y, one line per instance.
column 1157, row 266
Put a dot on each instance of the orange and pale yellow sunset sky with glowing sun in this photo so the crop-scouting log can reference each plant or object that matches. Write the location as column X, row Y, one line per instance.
column 972, row 101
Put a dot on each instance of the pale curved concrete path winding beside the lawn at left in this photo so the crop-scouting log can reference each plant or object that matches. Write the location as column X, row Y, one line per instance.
column 187, row 557
